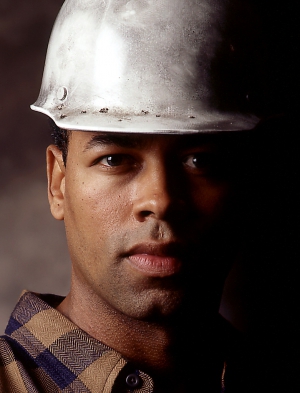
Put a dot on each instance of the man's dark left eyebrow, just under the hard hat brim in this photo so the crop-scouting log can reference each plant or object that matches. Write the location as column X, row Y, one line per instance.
column 119, row 140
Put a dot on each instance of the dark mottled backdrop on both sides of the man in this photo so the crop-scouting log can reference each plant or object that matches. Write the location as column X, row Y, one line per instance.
column 260, row 296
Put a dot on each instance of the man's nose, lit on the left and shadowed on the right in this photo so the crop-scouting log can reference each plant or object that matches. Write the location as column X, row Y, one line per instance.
column 158, row 194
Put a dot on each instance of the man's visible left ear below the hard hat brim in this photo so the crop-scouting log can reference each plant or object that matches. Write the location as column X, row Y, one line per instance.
column 56, row 181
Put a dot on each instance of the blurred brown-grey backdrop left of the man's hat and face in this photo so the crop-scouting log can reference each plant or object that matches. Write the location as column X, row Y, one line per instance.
column 33, row 252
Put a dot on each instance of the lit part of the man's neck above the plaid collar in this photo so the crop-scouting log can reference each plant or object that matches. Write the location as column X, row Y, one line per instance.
column 148, row 344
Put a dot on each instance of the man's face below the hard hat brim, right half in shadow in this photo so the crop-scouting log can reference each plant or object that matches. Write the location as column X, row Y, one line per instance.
column 146, row 220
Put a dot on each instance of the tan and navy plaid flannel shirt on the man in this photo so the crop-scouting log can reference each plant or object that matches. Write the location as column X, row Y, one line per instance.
column 43, row 351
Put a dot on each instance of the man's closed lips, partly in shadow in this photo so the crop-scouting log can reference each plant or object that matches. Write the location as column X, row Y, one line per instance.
column 155, row 260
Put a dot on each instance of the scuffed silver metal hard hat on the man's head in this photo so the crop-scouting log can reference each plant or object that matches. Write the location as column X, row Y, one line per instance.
column 147, row 66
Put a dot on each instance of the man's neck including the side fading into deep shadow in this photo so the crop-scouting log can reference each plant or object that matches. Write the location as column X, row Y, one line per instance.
column 159, row 348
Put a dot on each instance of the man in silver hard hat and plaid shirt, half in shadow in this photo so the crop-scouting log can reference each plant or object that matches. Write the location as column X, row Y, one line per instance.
column 144, row 173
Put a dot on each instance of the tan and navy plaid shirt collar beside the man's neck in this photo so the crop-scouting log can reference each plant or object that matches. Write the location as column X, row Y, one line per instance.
column 67, row 353
